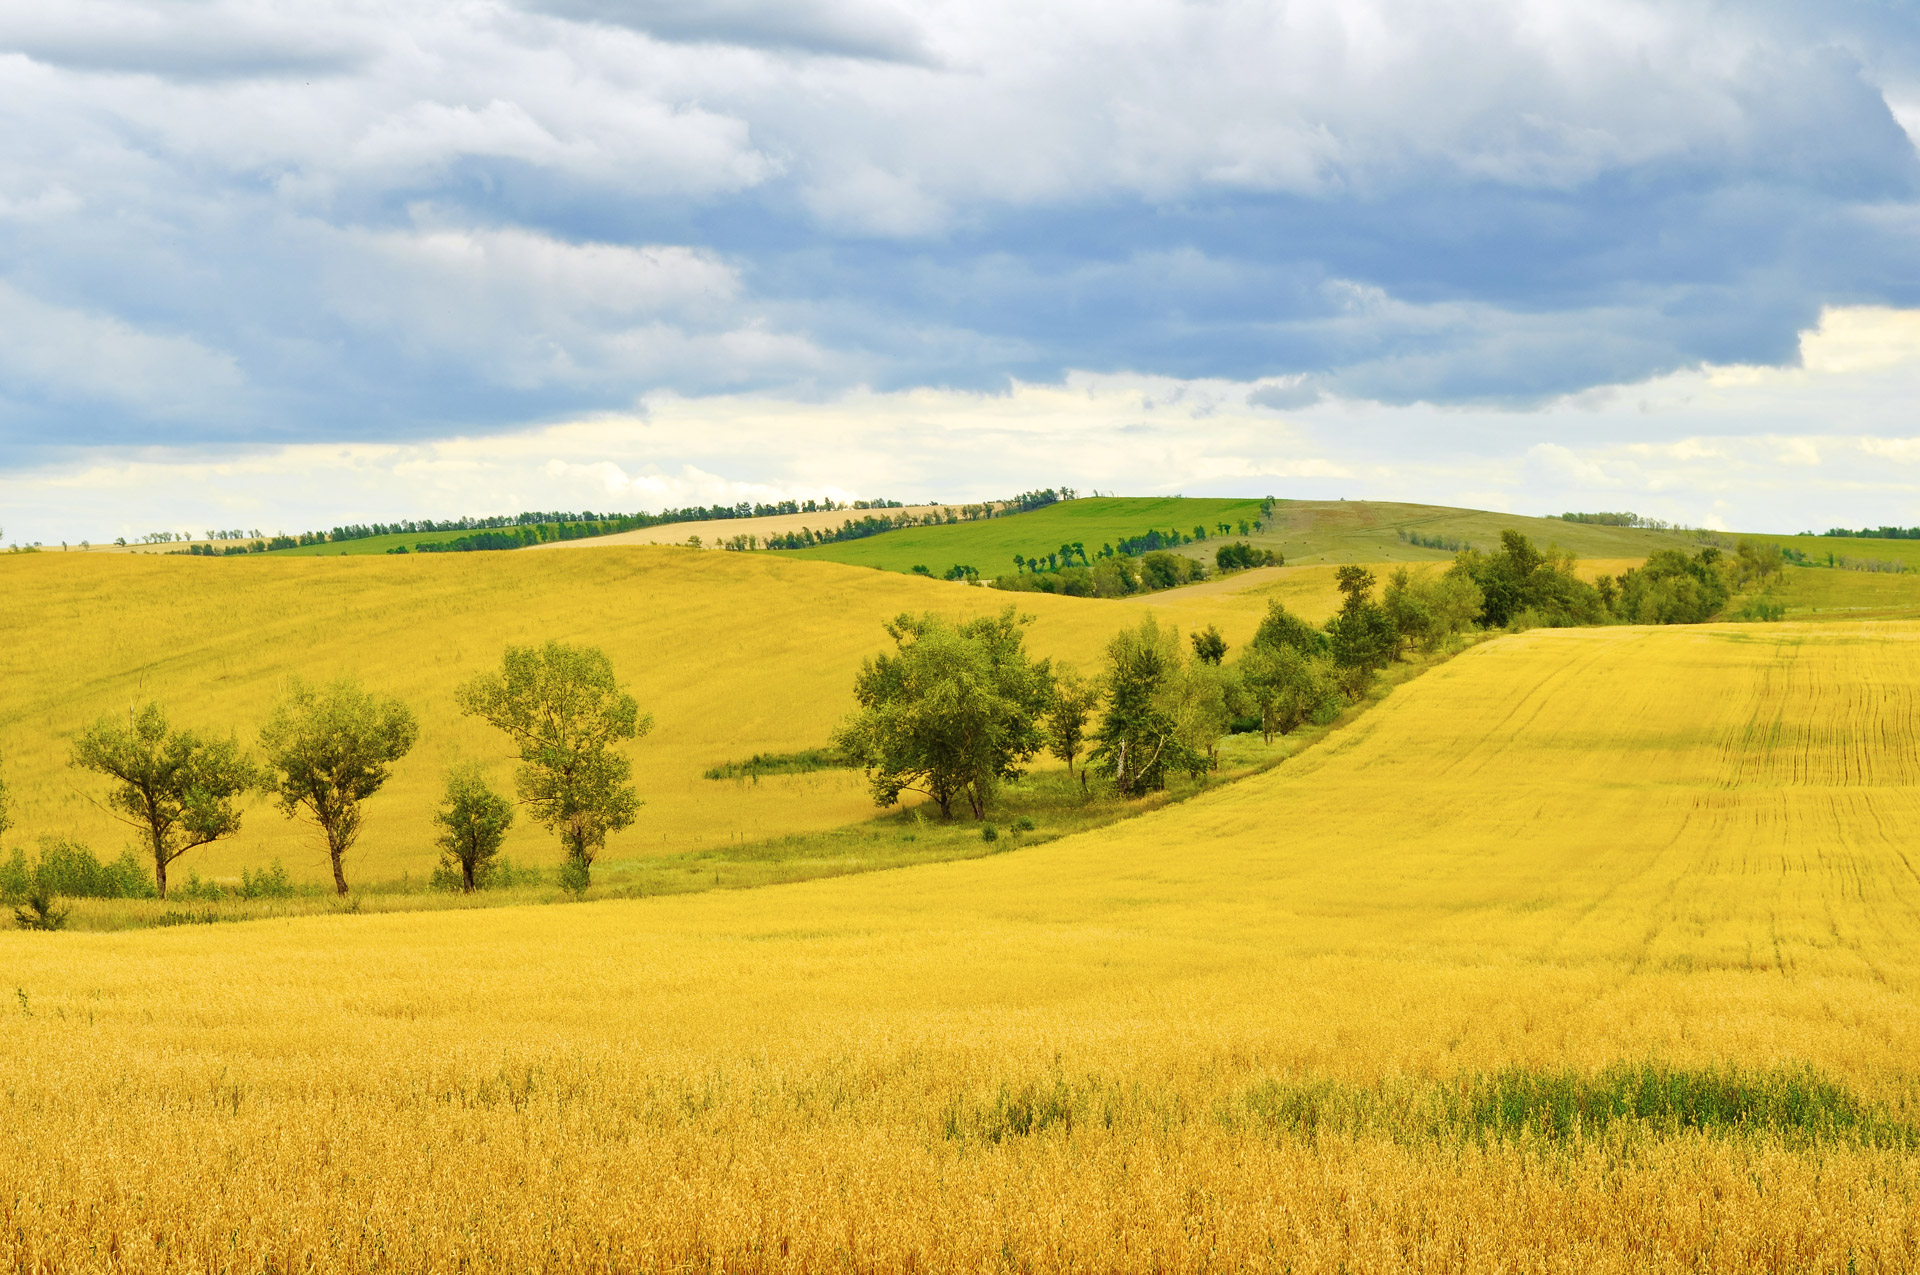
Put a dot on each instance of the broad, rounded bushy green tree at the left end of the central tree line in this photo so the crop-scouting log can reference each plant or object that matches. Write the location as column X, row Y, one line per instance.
column 955, row 711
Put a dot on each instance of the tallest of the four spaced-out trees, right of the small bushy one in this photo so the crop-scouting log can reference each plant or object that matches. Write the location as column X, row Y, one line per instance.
column 564, row 711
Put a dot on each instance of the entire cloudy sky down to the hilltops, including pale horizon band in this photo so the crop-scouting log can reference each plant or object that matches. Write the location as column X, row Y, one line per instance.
column 289, row 264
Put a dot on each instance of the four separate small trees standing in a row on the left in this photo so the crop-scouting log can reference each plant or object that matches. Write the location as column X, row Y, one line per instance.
column 327, row 750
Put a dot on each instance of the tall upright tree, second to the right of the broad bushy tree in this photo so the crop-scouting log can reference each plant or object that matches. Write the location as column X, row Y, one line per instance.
column 1141, row 736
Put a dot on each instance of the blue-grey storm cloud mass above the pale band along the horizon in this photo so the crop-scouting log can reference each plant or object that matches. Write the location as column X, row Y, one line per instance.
column 299, row 222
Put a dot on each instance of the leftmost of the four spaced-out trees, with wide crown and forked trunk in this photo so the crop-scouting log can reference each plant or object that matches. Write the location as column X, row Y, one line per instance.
column 178, row 788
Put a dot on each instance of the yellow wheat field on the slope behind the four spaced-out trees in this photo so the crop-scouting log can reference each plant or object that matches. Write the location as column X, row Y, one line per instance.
column 732, row 654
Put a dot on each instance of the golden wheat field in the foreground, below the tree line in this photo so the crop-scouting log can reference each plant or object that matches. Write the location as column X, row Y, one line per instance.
column 1562, row 850
